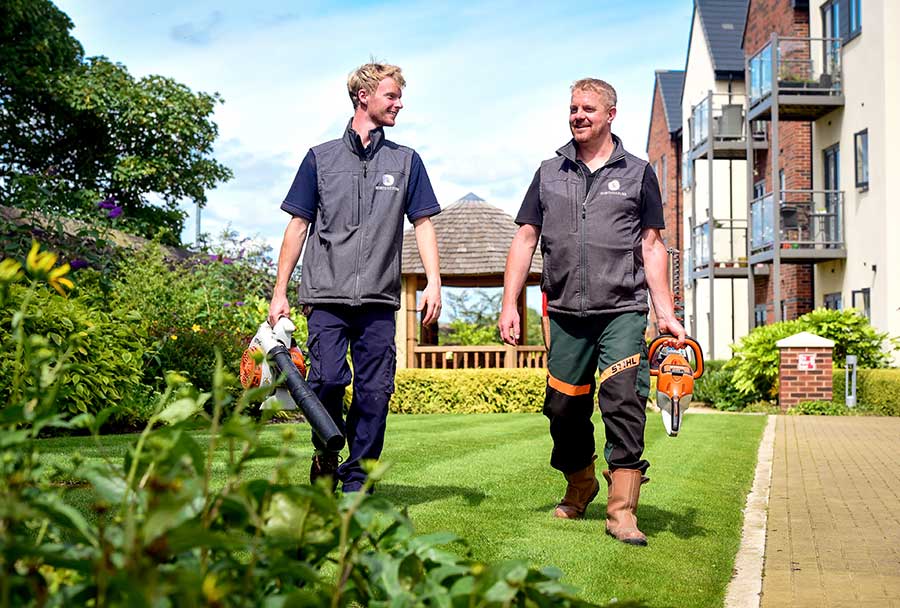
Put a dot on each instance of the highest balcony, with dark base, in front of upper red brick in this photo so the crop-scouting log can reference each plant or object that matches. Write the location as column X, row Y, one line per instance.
column 802, row 74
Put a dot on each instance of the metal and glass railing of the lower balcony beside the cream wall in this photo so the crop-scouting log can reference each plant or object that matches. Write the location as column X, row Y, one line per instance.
column 809, row 219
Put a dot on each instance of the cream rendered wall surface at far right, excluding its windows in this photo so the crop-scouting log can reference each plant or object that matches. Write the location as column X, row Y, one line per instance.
column 871, row 83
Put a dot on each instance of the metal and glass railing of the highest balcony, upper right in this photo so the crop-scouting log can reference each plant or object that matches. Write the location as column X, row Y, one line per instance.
column 801, row 65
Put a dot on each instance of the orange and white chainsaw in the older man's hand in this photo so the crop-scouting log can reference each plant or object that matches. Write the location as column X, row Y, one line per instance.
column 674, row 377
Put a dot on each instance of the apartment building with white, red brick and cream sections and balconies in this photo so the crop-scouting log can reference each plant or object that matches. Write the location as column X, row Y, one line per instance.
column 805, row 223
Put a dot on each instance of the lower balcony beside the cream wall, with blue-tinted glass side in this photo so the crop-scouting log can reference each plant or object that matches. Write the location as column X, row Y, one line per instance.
column 811, row 227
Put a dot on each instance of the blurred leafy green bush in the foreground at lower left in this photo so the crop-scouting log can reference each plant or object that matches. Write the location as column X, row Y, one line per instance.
column 164, row 536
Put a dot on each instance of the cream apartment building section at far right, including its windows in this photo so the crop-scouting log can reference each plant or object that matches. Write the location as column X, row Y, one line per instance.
column 855, row 157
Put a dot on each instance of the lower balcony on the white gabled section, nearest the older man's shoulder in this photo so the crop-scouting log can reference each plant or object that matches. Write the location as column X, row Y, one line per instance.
column 729, row 248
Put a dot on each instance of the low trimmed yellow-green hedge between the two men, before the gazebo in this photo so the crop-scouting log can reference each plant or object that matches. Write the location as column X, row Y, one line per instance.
column 474, row 391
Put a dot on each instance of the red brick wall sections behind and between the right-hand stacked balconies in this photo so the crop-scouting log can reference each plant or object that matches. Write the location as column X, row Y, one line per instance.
column 795, row 141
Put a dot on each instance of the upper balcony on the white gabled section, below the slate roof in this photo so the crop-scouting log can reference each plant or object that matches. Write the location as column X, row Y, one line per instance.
column 723, row 115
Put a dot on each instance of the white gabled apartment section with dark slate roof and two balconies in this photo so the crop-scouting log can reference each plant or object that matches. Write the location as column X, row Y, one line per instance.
column 714, row 171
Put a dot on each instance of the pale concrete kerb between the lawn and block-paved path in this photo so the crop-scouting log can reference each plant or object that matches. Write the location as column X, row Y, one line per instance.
column 745, row 587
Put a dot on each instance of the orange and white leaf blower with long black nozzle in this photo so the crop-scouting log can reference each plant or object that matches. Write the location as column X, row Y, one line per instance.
column 281, row 358
